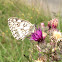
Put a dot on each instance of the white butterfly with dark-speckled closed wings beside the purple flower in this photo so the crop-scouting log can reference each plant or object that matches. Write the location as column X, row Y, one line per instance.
column 20, row 28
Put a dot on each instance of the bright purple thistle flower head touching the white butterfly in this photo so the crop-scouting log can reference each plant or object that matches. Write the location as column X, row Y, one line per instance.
column 37, row 36
